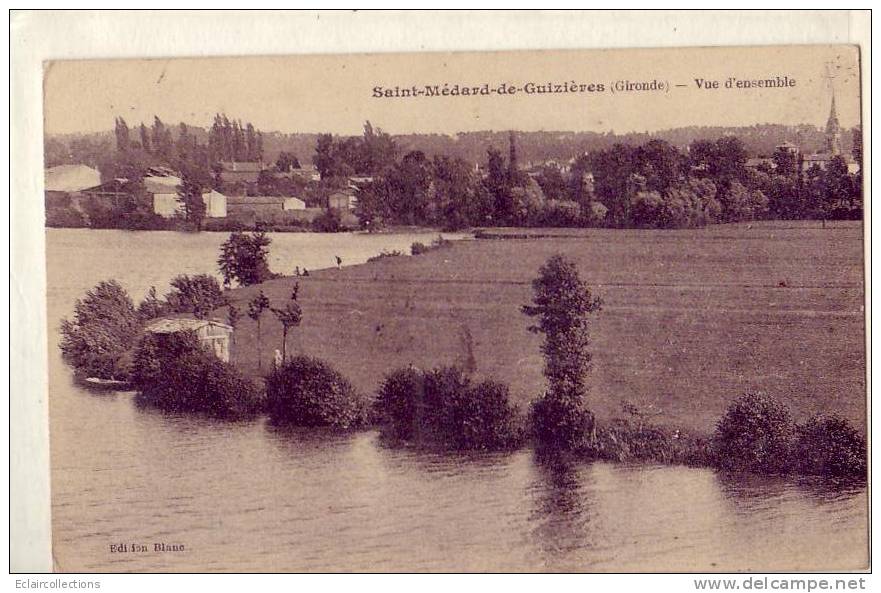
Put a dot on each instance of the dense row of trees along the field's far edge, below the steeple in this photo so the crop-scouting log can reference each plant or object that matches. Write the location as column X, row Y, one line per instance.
column 653, row 185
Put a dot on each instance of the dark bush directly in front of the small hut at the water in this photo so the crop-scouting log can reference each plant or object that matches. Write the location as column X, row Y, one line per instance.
column 174, row 373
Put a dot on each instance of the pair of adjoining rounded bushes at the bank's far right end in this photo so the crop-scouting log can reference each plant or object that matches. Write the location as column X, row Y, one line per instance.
column 757, row 434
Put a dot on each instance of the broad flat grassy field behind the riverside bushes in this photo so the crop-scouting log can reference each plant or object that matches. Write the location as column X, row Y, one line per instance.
column 692, row 318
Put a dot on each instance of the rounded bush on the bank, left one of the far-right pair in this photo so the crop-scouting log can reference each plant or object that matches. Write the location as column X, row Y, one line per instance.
column 755, row 434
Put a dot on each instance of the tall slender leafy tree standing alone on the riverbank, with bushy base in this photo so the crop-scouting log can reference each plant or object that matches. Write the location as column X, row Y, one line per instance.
column 562, row 304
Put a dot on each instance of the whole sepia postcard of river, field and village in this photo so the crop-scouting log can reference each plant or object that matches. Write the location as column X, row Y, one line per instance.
column 500, row 311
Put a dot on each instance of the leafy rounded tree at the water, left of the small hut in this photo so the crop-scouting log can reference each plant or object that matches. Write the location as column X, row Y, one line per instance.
column 104, row 328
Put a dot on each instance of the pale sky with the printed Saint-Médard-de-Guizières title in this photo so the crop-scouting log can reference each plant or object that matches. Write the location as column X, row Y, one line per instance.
column 335, row 93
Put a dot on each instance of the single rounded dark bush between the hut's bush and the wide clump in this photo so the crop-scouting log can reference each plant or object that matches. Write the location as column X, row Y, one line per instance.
column 307, row 391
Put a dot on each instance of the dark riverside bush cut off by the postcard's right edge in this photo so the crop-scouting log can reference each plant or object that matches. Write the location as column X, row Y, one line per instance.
column 830, row 446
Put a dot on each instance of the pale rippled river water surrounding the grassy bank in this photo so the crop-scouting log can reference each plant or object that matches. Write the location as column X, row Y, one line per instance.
column 249, row 497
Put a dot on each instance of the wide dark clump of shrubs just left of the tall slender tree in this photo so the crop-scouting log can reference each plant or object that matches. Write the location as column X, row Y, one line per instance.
column 443, row 408
